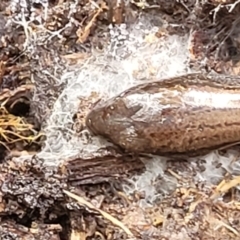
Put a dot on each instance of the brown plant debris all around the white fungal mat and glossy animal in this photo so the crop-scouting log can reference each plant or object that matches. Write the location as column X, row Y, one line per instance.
column 39, row 40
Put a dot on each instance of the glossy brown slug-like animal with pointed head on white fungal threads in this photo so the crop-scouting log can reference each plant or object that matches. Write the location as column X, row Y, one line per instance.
column 187, row 115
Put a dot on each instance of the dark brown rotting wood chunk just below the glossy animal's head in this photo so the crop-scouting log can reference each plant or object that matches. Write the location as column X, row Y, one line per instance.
column 101, row 169
